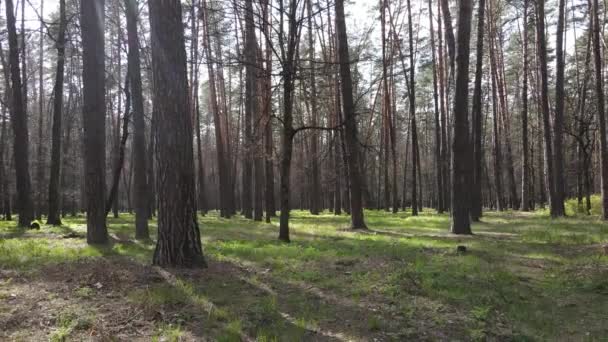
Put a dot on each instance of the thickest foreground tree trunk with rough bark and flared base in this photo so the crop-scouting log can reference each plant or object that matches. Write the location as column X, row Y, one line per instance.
column 179, row 242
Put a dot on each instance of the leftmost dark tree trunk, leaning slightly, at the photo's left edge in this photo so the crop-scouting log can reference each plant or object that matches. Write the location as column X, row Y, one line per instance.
column 19, row 121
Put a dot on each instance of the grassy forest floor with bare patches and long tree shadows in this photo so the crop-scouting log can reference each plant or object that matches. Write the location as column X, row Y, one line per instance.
column 523, row 277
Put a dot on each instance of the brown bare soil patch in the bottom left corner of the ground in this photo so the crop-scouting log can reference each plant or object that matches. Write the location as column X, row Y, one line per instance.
column 90, row 293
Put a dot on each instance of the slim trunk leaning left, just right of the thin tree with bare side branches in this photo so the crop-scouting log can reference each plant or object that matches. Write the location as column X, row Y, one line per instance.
column 350, row 122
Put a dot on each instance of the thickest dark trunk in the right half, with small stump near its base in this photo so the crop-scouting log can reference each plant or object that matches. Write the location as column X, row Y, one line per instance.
column 461, row 148
